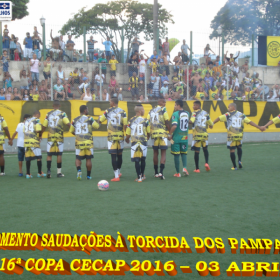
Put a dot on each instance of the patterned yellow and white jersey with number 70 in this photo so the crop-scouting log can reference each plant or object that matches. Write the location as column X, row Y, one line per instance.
column 138, row 127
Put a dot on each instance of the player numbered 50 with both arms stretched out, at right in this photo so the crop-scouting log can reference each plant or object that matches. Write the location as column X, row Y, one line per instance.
column 235, row 125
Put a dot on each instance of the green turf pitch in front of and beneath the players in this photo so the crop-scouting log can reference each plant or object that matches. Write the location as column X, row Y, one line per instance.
column 221, row 203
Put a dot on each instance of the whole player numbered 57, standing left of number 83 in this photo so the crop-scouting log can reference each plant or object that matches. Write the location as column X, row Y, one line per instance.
column 54, row 121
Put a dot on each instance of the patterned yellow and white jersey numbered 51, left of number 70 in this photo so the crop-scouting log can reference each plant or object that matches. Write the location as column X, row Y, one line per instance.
column 116, row 120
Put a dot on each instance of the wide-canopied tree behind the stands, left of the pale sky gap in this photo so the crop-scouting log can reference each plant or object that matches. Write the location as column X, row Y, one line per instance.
column 108, row 19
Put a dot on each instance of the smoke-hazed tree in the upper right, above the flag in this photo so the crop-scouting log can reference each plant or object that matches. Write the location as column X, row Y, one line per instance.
column 241, row 19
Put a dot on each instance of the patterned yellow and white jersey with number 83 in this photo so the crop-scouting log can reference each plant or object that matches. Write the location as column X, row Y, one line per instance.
column 82, row 127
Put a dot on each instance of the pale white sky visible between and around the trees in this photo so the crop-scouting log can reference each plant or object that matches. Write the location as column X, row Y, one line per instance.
column 188, row 15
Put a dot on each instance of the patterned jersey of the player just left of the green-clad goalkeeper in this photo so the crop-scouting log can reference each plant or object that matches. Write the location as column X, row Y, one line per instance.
column 157, row 117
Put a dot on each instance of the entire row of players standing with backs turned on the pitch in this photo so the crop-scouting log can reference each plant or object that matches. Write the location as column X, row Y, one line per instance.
column 157, row 126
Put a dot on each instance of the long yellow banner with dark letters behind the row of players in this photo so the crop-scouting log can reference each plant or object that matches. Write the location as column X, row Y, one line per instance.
column 258, row 112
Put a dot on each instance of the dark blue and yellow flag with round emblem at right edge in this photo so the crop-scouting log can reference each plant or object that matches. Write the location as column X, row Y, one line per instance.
column 269, row 50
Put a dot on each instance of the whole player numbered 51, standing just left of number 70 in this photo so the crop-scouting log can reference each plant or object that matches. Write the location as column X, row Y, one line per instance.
column 116, row 125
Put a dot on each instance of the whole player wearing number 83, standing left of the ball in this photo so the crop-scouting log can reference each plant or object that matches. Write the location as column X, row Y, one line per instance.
column 82, row 127
